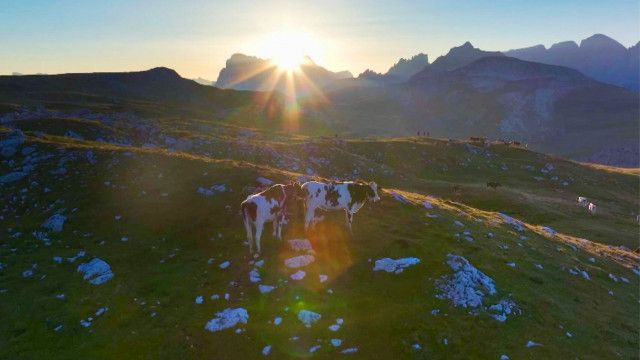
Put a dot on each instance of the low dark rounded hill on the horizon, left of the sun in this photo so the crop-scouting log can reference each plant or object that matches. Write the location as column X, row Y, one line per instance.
column 158, row 87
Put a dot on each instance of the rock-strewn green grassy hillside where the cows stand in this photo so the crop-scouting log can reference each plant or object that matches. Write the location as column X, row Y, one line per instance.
column 130, row 198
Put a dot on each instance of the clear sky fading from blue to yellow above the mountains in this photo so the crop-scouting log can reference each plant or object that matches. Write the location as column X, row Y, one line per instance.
column 196, row 37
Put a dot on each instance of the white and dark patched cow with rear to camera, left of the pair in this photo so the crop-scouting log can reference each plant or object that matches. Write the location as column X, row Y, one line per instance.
column 267, row 206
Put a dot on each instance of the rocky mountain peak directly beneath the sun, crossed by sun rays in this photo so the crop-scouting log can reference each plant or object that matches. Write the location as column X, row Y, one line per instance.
column 243, row 72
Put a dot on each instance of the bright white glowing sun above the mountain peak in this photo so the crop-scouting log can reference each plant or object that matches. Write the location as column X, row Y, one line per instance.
column 288, row 48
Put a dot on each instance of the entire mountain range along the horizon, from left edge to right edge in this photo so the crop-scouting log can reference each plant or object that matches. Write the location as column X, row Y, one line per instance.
column 466, row 92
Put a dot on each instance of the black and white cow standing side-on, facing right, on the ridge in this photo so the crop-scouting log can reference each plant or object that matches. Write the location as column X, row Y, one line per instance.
column 347, row 196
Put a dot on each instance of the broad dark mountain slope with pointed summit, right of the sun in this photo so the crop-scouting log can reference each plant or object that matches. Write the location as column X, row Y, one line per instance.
column 552, row 108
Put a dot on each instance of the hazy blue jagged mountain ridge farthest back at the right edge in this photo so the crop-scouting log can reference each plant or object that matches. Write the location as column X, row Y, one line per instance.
column 598, row 56
